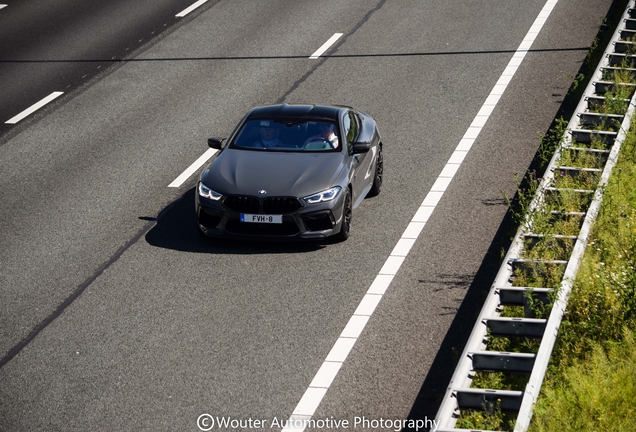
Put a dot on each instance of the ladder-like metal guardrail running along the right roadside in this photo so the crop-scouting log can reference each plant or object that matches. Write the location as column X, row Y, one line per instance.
column 590, row 135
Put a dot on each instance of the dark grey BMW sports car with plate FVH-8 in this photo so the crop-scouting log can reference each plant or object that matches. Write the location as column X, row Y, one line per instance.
column 290, row 172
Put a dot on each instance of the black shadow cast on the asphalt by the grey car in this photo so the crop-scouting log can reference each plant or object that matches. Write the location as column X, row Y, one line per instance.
column 176, row 229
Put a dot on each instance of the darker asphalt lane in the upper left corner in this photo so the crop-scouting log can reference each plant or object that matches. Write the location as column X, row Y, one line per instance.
column 58, row 46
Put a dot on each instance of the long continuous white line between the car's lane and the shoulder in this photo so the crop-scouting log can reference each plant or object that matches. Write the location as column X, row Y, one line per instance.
column 318, row 387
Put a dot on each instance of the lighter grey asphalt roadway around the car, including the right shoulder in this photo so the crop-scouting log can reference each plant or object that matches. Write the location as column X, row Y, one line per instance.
column 174, row 327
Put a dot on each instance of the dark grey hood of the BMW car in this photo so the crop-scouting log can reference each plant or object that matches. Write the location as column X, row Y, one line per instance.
column 246, row 172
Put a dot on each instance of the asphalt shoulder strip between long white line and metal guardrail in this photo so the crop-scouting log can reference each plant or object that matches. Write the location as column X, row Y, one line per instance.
column 435, row 288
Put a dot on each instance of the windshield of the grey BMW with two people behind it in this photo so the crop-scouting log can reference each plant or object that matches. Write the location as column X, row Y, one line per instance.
column 267, row 134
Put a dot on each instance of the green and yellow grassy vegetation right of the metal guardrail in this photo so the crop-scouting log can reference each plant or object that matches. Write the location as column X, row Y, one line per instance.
column 591, row 383
